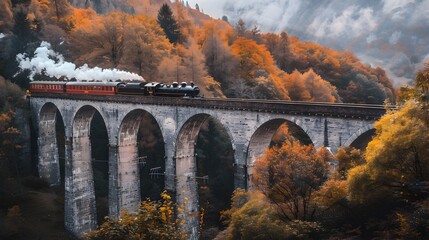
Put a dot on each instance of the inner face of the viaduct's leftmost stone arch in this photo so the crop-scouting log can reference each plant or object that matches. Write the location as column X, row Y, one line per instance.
column 48, row 157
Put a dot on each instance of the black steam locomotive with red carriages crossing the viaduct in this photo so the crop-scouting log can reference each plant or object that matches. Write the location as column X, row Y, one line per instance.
column 116, row 88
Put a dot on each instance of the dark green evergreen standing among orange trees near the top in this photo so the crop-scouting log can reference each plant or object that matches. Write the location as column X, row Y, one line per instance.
column 168, row 23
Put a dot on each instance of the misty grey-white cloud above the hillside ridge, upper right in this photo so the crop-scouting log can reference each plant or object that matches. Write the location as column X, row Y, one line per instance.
column 388, row 33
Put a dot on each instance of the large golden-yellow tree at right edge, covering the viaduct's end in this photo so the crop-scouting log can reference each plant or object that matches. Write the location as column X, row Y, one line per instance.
column 396, row 159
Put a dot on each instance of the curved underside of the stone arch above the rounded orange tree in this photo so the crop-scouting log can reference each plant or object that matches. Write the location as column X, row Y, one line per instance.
column 262, row 137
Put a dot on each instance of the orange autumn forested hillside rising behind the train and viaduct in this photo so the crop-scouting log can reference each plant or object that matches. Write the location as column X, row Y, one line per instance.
column 224, row 60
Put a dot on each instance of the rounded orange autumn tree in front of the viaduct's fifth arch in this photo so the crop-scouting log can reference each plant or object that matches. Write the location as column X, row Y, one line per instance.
column 289, row 175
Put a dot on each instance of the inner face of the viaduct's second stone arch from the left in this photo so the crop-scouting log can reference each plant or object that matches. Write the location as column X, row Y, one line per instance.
column 79, row 182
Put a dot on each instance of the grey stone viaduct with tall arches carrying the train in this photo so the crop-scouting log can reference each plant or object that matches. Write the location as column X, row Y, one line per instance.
column 250, row 125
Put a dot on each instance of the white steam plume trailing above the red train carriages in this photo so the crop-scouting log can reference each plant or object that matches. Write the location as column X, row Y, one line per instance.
column 52, row 64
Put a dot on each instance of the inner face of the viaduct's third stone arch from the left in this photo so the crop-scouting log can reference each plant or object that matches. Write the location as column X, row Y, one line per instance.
column 129, row 176
